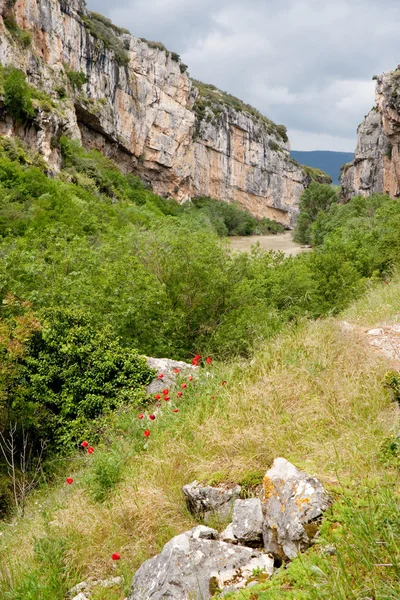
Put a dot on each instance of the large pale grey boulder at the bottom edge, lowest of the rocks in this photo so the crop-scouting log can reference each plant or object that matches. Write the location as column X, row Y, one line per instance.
column 193, row 567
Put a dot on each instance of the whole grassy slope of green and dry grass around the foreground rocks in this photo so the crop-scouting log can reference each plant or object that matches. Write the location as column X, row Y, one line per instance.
column 314, row 395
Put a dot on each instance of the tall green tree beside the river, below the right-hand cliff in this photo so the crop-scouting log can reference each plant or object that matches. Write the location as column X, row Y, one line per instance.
column 317, row 197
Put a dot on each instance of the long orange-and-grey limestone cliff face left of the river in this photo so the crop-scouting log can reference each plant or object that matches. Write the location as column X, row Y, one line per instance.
column 138, row 107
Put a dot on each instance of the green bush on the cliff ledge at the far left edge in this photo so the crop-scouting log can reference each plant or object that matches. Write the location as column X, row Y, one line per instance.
column 18, row 96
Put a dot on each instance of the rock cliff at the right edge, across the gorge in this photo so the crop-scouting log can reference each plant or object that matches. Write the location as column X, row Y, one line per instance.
column 376, row 165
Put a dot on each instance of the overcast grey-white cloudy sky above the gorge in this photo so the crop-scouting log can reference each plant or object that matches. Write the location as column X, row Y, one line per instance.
column 305, row 63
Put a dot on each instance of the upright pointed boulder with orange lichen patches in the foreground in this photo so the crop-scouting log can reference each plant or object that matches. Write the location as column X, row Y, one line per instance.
column 293, row 503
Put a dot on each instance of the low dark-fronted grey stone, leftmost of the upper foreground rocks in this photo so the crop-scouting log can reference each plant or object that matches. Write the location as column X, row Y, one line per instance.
column 207, row 501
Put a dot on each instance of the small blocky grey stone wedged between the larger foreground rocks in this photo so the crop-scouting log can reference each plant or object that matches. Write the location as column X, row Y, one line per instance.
column 247, row 521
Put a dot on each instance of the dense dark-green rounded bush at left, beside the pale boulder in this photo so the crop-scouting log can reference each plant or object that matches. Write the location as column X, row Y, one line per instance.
column 63, row 375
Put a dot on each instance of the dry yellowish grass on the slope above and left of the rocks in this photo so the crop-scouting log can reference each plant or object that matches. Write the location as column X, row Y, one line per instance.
column 314, row 396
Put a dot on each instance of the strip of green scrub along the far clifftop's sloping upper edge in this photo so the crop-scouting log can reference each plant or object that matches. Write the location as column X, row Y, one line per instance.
column 210, row 97
